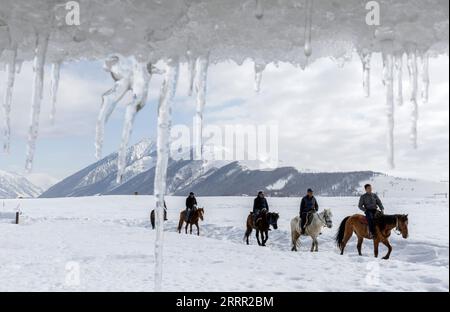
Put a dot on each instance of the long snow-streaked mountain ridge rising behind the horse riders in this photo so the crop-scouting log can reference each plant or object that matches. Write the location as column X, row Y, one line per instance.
column 219, row 178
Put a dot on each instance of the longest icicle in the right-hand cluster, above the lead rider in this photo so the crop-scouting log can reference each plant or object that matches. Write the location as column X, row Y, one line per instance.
column 388, row 81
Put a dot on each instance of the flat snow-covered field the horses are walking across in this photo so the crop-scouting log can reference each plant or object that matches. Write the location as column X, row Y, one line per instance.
column 109, row 242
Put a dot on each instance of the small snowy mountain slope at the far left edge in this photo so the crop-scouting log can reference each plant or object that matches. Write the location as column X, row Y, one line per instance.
column 13, row 185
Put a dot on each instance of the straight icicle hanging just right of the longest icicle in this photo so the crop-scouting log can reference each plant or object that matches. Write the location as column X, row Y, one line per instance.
column 200, row 88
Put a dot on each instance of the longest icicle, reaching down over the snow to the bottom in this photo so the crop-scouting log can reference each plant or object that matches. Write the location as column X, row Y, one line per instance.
column 168, row 90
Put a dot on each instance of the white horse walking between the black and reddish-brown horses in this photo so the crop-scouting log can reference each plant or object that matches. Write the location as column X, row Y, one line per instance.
column 319, row 220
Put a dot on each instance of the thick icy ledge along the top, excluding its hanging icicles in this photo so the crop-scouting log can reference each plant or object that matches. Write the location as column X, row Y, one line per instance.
column 265, row 30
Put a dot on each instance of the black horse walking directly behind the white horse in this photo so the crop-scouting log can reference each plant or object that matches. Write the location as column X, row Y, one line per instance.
column 262, row 225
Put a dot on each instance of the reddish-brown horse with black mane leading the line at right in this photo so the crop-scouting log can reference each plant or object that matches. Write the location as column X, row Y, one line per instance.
column 384, row 225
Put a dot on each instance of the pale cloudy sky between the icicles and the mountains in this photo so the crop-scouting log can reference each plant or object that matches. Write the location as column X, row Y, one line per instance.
column 326, row 123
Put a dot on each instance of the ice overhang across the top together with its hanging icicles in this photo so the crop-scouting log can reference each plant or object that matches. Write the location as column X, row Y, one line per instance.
column 133, row 35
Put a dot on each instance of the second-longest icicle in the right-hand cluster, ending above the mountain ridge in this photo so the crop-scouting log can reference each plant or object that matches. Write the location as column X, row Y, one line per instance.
column 413, row 84
